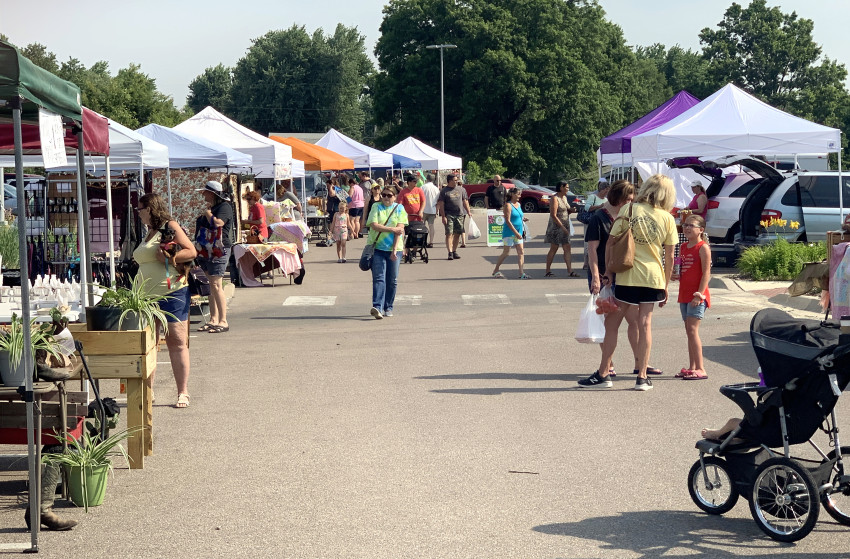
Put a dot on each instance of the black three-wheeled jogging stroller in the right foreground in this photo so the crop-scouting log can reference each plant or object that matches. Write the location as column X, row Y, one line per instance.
column 806, row 366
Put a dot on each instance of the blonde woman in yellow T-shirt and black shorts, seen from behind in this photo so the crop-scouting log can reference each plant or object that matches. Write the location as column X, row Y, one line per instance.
column 639, row 288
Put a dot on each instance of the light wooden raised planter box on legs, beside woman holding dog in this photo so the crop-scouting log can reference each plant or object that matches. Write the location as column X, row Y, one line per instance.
column 129, row 355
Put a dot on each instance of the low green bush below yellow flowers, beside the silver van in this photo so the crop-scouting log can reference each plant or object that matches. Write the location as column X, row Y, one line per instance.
column 780, row 260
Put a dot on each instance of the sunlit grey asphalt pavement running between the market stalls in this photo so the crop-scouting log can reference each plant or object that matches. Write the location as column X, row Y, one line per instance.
column 454, row 429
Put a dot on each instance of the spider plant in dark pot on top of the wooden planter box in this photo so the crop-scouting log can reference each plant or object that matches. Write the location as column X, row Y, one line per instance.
column 135, row 308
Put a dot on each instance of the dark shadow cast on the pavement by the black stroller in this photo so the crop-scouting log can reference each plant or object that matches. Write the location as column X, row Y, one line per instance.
column 677, row 533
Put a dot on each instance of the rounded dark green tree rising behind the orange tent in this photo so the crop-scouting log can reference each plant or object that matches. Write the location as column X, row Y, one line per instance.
column 296, row 82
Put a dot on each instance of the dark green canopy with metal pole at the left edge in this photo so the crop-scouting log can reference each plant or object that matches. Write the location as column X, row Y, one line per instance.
column 24, row 89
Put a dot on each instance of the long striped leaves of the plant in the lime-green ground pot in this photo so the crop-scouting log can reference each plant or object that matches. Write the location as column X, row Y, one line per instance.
column 89, row 452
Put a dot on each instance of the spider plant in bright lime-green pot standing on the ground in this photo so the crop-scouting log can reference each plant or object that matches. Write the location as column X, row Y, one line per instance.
column 88, row 462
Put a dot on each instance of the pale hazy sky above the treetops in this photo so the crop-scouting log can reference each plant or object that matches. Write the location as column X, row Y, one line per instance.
column 175, row 40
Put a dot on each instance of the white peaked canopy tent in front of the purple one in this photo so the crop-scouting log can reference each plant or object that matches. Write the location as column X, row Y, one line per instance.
column 732, row 122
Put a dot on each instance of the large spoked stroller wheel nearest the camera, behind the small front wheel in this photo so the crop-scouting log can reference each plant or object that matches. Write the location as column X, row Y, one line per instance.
column 785, row 502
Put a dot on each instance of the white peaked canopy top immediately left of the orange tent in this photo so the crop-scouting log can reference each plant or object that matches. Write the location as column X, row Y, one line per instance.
column 272, row 160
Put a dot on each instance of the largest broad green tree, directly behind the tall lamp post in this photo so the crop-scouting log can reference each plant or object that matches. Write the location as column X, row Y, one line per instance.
column 533, row 83
